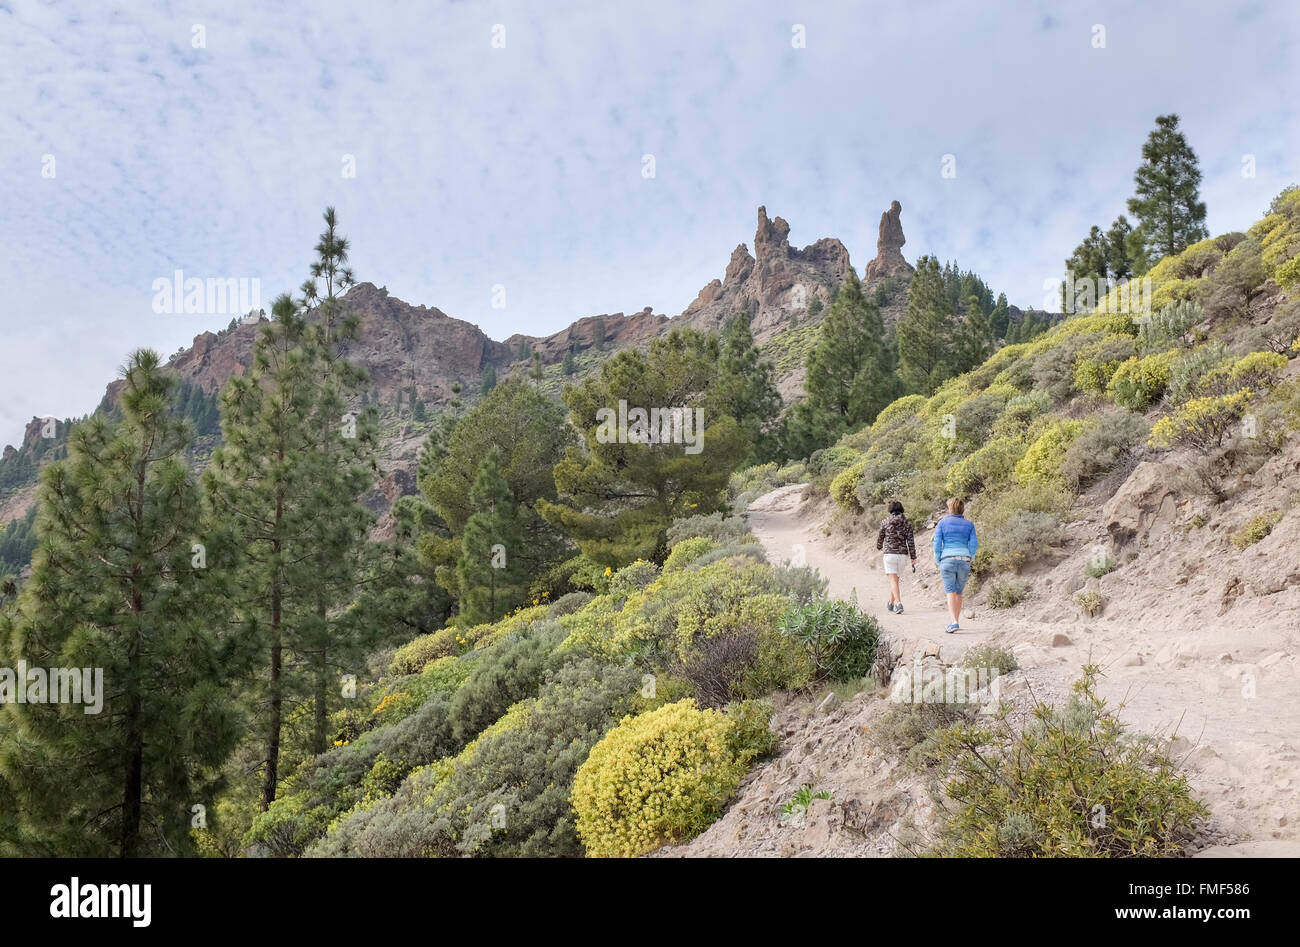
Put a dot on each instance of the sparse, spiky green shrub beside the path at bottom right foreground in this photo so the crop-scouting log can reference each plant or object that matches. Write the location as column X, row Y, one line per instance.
column 1072, row 784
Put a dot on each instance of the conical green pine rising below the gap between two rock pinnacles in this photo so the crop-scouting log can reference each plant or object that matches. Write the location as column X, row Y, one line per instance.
column 848, row 378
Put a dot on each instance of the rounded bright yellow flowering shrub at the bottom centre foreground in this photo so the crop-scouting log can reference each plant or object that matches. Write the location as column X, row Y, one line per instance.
column 657, row 779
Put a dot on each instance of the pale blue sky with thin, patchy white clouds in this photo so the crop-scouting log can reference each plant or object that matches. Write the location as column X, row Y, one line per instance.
column 491, row 159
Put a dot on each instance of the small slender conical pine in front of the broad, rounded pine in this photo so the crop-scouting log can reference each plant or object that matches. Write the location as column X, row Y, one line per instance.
column 488, row 577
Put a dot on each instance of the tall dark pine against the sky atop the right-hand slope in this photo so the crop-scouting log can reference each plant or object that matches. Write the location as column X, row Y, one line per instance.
column 1168, row 191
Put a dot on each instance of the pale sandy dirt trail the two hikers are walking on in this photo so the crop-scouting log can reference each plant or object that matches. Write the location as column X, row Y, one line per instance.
column 1242, row 756
